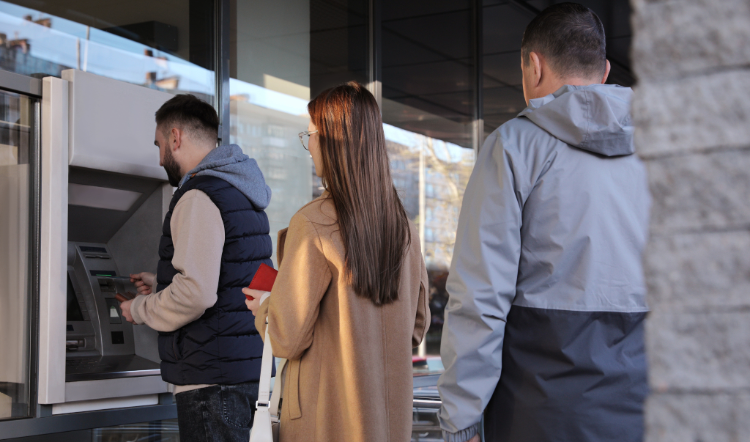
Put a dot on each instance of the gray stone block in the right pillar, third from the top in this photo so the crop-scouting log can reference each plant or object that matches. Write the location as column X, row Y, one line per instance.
column 700, row 191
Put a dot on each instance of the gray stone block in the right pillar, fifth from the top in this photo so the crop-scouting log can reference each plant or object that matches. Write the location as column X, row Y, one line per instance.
column 698, row 352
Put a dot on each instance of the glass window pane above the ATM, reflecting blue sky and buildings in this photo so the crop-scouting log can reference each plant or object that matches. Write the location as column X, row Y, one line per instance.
column 165, row 45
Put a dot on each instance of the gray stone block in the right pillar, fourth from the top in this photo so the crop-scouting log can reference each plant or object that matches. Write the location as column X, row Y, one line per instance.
column 699, row 272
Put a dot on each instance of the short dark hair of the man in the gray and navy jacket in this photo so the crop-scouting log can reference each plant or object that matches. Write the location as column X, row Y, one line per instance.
column 571, row 37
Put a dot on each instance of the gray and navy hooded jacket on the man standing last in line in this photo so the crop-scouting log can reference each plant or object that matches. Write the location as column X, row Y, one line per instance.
column 544, row 325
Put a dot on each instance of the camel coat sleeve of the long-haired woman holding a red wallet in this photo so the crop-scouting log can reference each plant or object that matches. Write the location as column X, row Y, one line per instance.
column 303, row 279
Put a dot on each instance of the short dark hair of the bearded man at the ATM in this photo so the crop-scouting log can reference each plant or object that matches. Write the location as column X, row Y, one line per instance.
column 190, row 114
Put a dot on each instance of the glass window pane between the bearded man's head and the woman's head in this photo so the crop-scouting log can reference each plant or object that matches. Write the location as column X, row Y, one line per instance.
column 283, row 54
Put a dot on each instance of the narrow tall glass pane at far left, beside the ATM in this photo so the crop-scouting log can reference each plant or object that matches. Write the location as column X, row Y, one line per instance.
column 17, row 129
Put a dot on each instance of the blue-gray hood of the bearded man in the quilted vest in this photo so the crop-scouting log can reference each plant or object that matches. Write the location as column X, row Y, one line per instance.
column 231, row 165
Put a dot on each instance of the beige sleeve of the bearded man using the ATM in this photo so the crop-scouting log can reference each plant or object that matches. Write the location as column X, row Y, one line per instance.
column 198, row 236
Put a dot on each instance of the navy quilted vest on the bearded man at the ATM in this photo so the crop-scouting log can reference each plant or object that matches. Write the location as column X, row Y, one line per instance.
column 222, row 346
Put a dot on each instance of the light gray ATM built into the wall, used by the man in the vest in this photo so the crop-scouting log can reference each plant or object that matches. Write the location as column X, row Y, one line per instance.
column 104, row 197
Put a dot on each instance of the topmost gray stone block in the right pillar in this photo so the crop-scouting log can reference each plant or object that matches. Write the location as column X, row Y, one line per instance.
column 678, row 38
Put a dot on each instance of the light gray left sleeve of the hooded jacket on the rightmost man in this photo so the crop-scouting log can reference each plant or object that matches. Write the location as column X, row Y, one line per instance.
column 481, row 287
